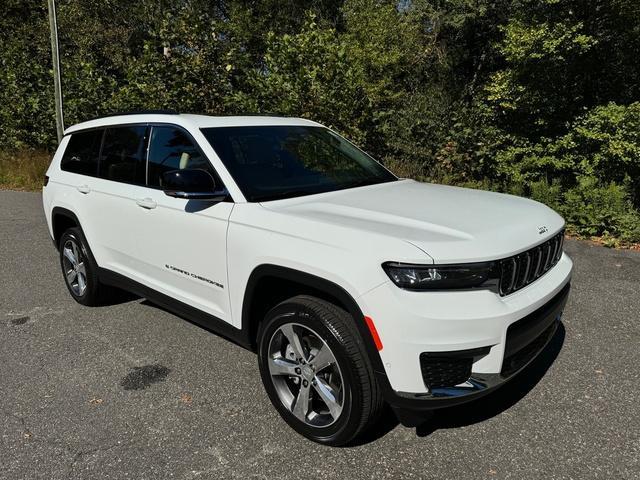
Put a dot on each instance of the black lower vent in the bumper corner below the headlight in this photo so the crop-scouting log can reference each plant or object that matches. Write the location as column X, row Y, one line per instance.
column 448, row 369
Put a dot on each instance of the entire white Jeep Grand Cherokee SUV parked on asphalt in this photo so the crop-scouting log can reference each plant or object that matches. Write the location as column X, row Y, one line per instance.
column 355, row 288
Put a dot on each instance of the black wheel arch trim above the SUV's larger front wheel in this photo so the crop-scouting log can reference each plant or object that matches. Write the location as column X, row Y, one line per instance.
column 270, row 284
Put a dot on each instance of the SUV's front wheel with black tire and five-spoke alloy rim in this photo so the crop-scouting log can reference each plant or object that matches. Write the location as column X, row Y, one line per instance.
column 344, row 399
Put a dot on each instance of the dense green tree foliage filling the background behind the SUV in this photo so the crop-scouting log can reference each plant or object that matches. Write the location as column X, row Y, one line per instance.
column 534, row 97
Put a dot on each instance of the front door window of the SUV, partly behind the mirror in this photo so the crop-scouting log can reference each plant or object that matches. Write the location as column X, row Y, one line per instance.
column 171, row 148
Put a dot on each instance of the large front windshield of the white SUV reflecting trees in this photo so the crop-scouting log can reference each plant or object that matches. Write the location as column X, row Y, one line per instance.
column 274, row 162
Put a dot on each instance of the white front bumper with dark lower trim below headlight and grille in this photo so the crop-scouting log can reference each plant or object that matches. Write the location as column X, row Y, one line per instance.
column 511, row 331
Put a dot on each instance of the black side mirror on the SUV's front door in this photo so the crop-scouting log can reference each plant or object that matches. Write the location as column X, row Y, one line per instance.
column 192, row 184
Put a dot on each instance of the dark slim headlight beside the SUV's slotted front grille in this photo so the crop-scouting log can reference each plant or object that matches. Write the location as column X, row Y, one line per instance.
column 485, row 275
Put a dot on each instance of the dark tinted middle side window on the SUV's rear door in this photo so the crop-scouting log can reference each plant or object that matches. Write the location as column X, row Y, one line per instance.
column 123, row 158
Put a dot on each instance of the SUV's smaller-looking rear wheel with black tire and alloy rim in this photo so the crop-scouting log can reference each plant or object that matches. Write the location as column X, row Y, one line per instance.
column 79, row 269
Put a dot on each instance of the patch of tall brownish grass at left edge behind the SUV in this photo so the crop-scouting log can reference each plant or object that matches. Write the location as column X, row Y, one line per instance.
column 23, row 169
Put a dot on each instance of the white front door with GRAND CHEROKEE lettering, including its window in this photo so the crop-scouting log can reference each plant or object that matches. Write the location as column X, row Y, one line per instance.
column 182, row 244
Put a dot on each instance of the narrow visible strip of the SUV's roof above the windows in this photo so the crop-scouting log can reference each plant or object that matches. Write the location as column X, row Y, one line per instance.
column 190, row 121
